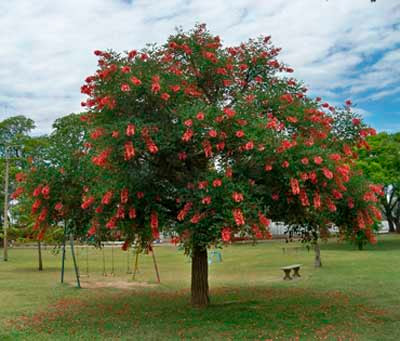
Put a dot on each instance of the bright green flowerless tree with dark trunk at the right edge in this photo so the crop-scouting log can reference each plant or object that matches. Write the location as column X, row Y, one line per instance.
column 381, row 164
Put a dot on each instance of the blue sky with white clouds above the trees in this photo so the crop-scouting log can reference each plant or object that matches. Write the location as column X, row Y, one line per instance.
column 341, row 49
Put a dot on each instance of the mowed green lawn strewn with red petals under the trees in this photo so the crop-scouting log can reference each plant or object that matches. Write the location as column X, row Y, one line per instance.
column 355, row 296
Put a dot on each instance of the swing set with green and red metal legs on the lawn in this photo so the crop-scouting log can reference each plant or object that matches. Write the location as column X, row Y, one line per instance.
column 76, row 268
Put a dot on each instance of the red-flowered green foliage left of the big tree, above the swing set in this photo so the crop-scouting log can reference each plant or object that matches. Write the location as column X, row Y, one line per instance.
column 53, row 181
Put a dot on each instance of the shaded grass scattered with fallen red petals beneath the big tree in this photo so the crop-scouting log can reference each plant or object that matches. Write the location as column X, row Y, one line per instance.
column 238, row 313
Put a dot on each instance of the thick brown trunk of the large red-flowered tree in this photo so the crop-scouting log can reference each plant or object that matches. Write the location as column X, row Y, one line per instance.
column 200, row 296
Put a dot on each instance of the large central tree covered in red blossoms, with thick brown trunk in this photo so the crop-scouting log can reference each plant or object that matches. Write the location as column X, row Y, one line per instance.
column 206, row 142
